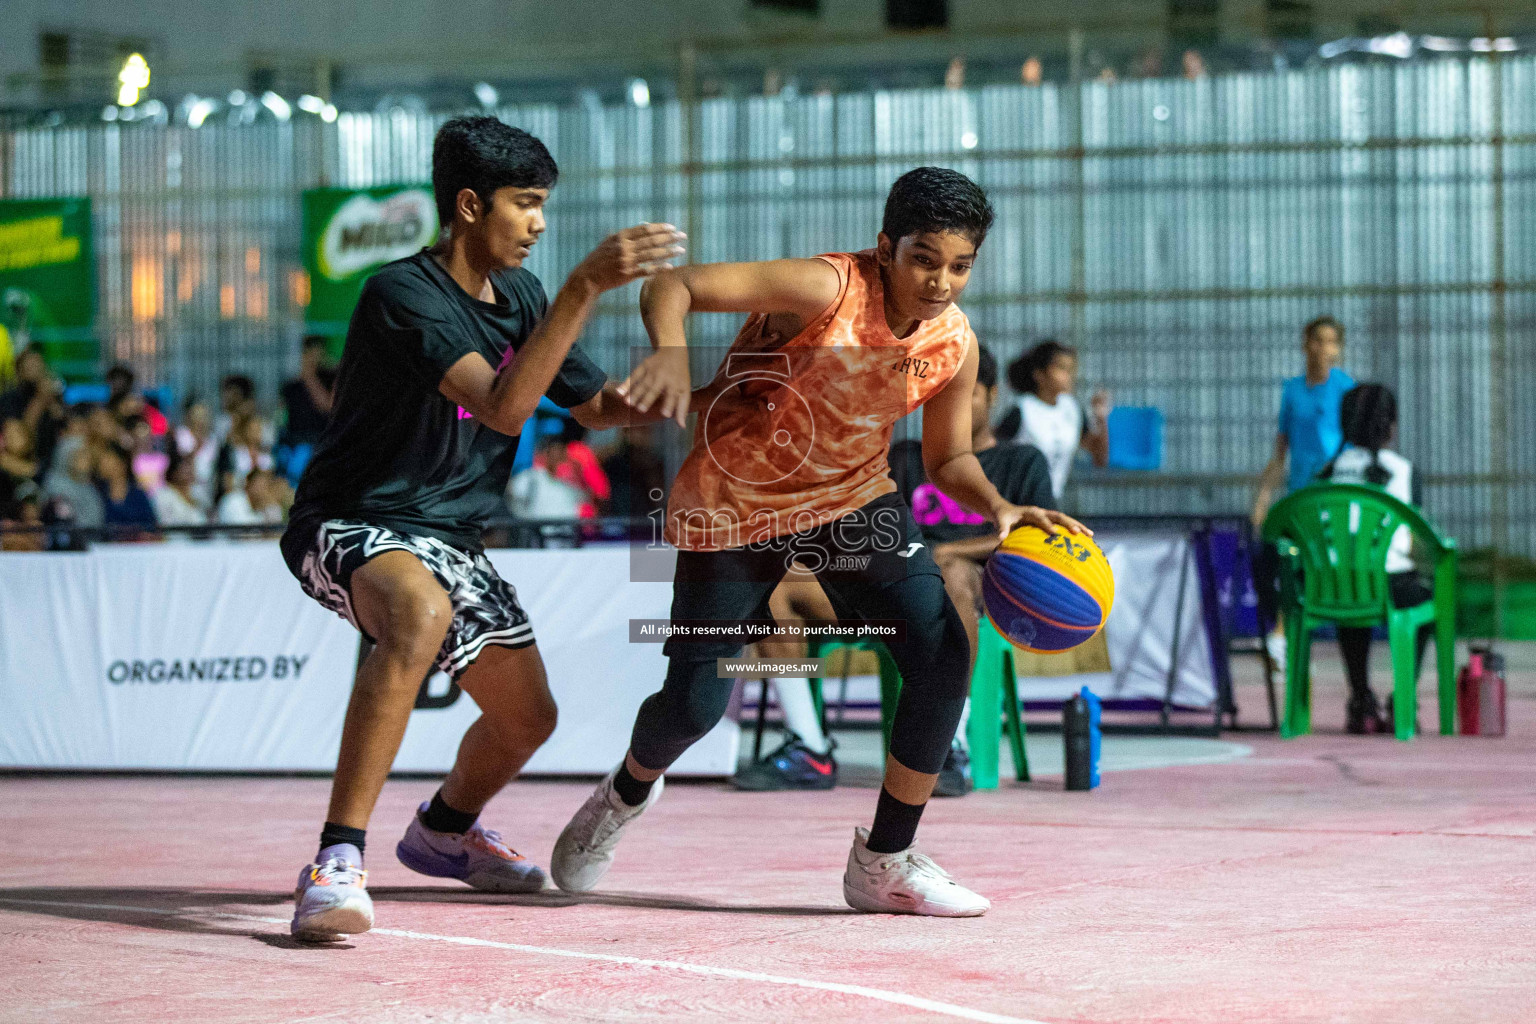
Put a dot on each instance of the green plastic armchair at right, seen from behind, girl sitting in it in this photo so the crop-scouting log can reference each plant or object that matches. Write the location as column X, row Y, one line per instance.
column 1334, row 541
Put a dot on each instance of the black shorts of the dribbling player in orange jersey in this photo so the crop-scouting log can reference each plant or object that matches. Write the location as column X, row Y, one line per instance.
column 876, row 547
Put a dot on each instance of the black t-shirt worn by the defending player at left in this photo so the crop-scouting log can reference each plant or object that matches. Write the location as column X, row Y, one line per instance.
column 396, row 452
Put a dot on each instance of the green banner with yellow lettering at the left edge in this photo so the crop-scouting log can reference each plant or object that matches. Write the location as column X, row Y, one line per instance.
column 48, row 283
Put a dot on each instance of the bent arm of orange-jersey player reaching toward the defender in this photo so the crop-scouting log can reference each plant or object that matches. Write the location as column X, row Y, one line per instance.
column 799, row 289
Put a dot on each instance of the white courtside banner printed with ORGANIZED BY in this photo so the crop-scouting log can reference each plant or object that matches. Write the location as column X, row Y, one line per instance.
column 208, row 656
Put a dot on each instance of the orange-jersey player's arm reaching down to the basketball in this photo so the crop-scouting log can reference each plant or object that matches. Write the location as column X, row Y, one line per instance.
column 955, row 469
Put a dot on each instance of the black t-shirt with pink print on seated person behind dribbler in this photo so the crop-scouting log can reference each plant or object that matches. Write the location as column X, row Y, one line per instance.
column 1018, row 471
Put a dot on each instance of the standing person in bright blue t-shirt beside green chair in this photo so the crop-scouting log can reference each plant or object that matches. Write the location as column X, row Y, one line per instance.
column 1309, row 435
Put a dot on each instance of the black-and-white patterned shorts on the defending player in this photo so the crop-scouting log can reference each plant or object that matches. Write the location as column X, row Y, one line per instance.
column 486, row 609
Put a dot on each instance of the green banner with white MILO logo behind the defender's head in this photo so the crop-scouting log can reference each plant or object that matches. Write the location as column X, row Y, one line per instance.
column 353, row 233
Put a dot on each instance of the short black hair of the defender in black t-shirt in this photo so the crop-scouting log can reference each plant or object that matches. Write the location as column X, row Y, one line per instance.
column 486, row 154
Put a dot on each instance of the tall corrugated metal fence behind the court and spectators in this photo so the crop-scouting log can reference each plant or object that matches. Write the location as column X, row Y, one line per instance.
column 1180, row 233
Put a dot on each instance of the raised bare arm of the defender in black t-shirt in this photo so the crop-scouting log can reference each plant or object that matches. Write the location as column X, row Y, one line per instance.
column 506, row 400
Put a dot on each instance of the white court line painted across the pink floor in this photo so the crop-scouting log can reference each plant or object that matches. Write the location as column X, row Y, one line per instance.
column 884, row 996
